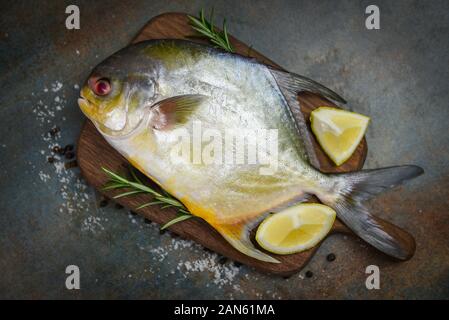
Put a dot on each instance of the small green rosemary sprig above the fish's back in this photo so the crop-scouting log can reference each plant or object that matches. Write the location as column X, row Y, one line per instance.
column 206, row 28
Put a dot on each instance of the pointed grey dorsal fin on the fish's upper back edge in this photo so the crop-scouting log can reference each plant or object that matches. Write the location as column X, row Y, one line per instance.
column 290, row 85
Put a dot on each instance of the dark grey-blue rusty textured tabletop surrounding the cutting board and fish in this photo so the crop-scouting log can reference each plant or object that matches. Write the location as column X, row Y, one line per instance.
column 50, row 218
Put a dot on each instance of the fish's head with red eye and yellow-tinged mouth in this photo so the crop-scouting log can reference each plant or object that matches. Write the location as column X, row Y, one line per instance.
column 116, row 93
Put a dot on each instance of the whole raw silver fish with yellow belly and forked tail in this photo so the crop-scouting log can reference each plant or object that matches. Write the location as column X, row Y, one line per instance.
column 168, row 106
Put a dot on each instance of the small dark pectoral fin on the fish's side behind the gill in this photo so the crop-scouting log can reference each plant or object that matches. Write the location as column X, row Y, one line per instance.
column 167, row 113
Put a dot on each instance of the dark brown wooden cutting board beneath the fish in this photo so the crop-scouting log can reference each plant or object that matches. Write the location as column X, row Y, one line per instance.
column 94, row 152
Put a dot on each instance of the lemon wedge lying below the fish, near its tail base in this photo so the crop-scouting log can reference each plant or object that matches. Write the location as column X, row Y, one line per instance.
column 295, row 229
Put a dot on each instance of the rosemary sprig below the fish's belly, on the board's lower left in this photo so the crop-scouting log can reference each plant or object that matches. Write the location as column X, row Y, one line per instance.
column 136, row 186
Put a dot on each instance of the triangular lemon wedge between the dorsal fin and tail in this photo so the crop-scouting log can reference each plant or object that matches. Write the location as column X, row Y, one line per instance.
column 339, row 132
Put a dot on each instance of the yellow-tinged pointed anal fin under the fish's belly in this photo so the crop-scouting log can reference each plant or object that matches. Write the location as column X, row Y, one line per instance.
column 238, row 235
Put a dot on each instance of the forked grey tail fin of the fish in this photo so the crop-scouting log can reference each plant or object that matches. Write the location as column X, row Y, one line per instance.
column 353, row 189
